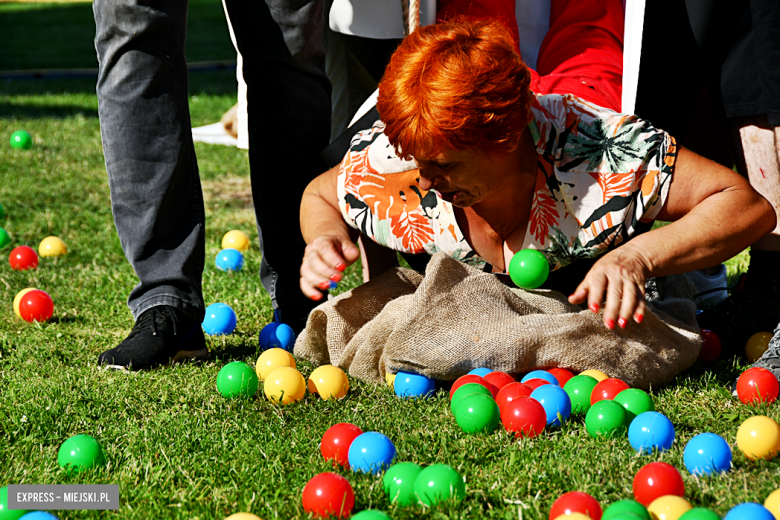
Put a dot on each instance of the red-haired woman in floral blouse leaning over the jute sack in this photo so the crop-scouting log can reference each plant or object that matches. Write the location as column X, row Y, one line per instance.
column 468, row 161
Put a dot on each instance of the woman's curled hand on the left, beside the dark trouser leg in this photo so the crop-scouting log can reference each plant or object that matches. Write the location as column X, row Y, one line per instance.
column 324, row 260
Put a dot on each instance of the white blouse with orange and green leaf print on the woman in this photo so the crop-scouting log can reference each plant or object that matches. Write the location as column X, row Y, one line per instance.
column 602, row 178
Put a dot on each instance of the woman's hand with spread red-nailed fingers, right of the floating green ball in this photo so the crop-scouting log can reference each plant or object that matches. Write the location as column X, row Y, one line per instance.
column 618, row 279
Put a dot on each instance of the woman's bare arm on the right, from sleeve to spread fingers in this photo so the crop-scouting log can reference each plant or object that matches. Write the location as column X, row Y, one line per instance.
column 715, row 214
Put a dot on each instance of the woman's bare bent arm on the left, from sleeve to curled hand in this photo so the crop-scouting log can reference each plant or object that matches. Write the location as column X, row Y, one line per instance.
column 331, row 242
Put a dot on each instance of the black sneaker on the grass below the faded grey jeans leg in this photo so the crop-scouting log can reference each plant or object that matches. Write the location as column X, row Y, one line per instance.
column 161, row 335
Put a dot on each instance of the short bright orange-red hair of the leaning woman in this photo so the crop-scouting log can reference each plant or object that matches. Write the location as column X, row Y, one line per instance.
column 454, row 86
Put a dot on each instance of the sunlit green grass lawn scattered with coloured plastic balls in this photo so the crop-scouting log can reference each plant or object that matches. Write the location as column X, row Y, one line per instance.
column 175, row 447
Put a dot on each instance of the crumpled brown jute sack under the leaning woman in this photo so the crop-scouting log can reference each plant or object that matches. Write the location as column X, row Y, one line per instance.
column 456, row 318
